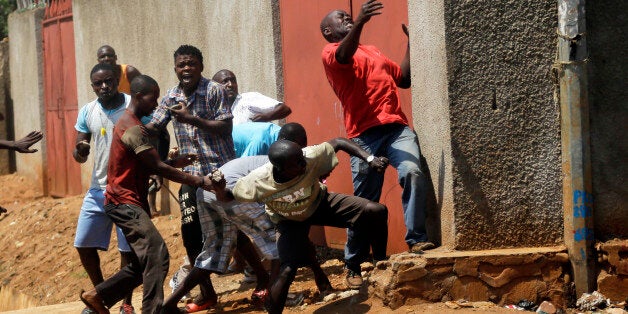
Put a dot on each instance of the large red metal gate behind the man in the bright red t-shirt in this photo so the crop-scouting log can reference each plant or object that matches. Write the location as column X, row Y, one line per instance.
column 315, row 105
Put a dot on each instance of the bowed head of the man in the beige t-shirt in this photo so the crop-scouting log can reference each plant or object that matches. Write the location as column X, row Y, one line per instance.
column 287, row 159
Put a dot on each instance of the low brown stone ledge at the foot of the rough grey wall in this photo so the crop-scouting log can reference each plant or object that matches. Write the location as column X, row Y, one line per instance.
column 500, row 276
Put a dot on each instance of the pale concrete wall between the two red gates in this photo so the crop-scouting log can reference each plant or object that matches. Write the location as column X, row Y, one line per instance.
column 236, row 35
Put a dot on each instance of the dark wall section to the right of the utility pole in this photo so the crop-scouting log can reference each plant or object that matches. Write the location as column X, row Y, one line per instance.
column 607, row 35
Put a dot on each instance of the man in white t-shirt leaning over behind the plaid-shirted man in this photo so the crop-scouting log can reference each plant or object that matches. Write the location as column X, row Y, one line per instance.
column 251, row 106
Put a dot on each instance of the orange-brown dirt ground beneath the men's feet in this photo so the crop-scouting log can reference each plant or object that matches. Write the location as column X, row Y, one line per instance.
column 39, row 263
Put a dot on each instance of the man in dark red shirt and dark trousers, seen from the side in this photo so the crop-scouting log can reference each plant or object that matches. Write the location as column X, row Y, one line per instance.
column 131, row 161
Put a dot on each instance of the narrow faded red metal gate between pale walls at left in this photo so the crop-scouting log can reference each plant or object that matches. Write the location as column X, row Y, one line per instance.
column 60, row 99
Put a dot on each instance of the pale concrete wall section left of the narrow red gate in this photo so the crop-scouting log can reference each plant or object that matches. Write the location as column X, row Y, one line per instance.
column 27, row 87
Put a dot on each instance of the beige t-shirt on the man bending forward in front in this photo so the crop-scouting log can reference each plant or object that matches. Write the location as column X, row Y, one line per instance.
column 296, row 199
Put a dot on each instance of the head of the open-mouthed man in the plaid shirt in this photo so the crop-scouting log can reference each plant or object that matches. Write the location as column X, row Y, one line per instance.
column 188, row 65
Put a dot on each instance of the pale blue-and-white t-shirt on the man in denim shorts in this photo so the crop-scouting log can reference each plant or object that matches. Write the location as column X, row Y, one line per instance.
column 99, row 122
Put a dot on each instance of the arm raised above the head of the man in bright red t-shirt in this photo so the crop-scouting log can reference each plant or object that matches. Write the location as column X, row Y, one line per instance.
column 350, row 43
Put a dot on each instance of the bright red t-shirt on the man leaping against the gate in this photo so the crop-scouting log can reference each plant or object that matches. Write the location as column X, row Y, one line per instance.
column 366, row 87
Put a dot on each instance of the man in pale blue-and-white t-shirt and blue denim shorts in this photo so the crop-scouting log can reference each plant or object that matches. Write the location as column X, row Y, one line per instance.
column 95, row 121
